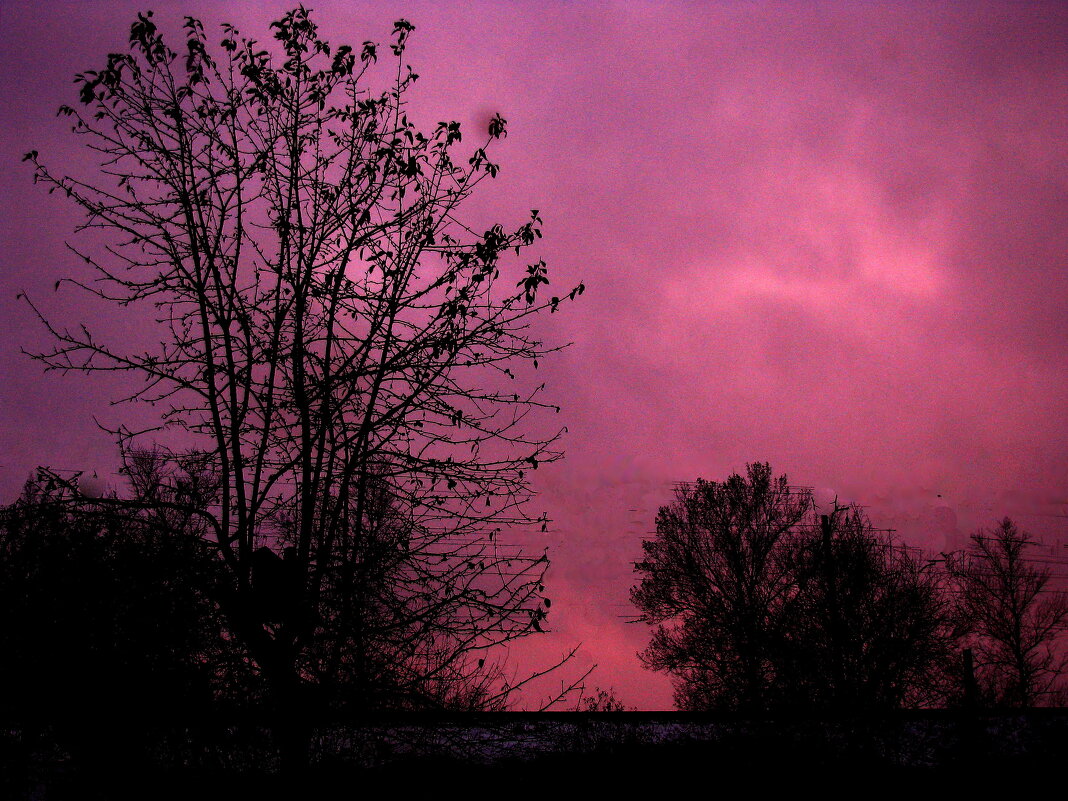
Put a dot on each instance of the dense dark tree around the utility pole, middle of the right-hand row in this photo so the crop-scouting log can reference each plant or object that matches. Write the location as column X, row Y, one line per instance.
column 870, row 624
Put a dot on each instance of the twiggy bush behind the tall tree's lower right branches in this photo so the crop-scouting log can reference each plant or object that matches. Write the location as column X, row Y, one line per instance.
column 399, row 614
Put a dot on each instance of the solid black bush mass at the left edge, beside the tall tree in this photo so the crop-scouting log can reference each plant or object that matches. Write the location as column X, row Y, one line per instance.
column 106, row 617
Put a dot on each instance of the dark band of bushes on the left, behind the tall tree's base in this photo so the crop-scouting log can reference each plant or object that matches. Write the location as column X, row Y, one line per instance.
column 123, row 608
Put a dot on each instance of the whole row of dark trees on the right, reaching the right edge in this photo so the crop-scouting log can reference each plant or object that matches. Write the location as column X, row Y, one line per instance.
column 763, row 604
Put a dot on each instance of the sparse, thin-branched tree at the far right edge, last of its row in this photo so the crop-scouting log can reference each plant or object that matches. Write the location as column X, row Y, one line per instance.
column 1014, row 619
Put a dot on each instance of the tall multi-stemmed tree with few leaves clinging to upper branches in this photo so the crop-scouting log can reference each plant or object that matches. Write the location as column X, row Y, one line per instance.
column 336, row 340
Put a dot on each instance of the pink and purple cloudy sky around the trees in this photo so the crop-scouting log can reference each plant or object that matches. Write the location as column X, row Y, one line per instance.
column 830, row 237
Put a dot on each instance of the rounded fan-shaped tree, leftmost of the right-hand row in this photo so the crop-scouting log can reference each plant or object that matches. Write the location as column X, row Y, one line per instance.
column 715, row 582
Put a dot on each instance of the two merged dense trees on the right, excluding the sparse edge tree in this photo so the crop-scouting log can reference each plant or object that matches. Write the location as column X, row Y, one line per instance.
column 762, row 604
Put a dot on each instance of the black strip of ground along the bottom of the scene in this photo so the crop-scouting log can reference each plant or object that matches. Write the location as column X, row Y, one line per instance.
column 494, row 756
